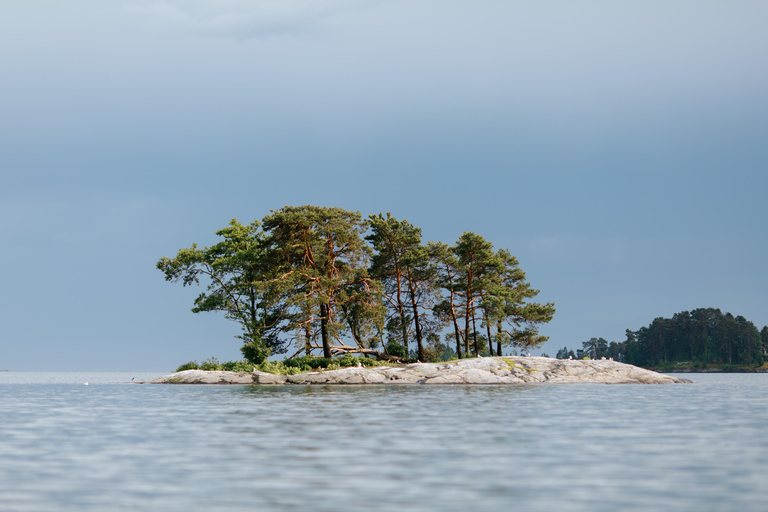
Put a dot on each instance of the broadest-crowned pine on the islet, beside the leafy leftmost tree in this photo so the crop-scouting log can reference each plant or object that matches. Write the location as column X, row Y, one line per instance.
column 320, row 261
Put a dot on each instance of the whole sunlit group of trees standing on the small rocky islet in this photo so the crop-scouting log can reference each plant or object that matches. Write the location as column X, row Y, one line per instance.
column 325, row 278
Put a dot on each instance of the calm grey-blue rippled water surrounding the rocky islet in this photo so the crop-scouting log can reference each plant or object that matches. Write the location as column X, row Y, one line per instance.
column 118, row 446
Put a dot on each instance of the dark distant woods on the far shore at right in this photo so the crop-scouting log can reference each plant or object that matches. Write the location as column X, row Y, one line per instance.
column 704, row 335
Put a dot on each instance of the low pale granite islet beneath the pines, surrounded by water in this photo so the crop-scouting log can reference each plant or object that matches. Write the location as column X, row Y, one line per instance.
column 484, row 370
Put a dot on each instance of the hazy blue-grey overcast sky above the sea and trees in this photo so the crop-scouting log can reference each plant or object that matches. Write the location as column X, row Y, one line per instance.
column 618, row 149
